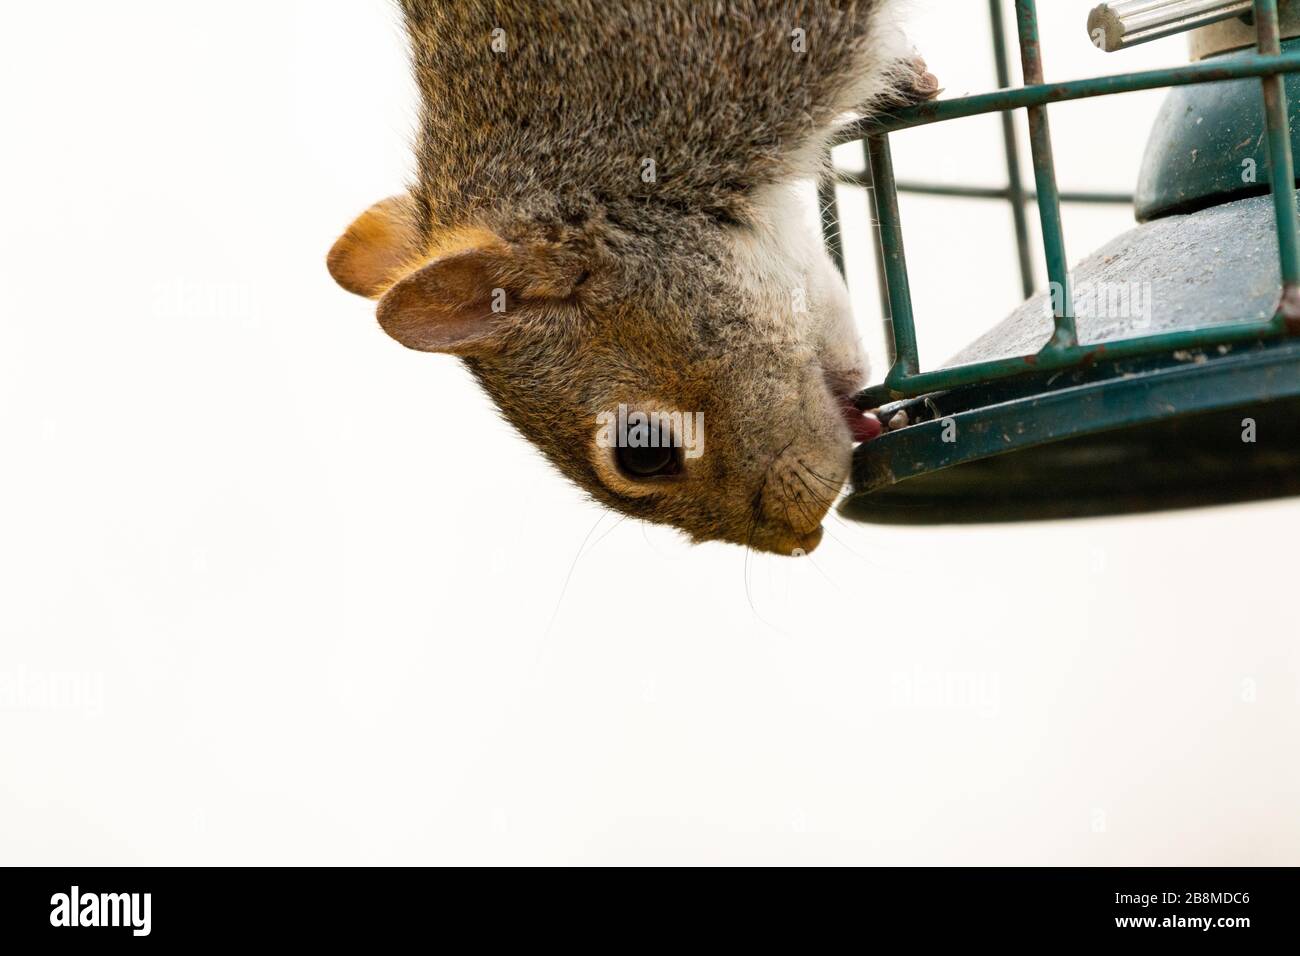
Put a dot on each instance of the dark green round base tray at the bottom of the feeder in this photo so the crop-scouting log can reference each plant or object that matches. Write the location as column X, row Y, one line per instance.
column 1142, row 435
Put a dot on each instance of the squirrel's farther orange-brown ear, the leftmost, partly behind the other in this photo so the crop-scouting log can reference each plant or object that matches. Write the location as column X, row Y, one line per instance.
column 378, row 249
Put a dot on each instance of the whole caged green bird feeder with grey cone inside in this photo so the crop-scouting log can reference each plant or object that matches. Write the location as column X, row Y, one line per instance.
column 1071, row 412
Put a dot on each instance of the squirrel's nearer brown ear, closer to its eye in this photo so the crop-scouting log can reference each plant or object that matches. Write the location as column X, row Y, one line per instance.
column 461, row 301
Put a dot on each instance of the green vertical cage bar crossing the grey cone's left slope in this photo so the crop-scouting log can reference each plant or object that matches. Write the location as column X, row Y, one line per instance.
column 1045, row 174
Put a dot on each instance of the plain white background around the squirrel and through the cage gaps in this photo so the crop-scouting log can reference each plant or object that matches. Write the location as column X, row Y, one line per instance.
column 275, row 590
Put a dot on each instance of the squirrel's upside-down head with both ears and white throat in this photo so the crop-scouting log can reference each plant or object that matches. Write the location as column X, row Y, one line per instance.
column 690, row 371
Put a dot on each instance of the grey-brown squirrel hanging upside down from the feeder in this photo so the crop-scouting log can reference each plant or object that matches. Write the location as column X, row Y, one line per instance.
column 606, row 227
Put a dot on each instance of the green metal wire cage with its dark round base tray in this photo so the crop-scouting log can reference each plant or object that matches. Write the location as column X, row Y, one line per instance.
column 1061, row 405
